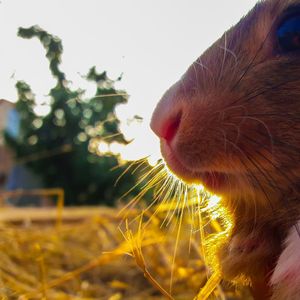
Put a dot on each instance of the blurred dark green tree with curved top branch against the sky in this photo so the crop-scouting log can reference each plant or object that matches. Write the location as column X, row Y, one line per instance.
column 59, row 146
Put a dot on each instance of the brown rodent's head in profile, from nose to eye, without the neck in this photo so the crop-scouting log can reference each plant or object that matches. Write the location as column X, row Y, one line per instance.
column 232, row 121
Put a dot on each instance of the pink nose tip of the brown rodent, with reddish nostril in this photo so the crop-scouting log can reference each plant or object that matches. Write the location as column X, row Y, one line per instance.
column 166, row 126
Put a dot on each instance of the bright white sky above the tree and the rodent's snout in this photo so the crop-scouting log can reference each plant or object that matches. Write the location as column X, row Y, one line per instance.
column 151, row 42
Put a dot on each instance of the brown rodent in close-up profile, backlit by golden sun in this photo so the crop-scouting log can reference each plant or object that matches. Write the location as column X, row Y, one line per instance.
column 232, row 123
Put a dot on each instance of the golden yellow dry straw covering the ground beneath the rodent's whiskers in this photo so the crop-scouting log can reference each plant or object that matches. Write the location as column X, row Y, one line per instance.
column 98, row 253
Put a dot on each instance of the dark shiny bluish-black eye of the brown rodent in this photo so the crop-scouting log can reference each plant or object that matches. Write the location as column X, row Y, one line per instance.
column 288, row 34
